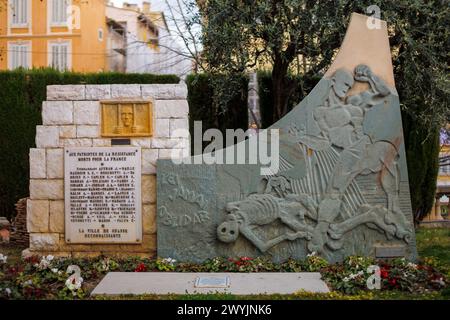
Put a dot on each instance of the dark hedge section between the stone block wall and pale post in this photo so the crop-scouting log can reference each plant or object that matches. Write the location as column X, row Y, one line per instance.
column 201, row 106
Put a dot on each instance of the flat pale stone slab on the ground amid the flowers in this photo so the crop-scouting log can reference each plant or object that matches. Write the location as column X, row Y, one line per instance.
column 118, row 283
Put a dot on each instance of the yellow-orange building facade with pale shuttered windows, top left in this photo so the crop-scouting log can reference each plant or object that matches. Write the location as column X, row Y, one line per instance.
column 63, row 34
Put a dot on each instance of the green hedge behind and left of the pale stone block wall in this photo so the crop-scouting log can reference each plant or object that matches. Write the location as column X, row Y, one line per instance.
column 21, row 96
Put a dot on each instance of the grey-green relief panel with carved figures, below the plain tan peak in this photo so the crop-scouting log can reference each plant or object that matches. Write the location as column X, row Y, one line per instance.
column 340, row 189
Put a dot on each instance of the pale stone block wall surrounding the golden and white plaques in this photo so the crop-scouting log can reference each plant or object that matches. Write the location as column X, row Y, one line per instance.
column 71, row 118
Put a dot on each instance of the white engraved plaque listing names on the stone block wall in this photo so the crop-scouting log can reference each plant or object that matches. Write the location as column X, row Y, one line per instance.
column 102, row 188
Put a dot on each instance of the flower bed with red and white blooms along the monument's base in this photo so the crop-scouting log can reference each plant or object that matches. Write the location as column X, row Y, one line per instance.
column 52, row 278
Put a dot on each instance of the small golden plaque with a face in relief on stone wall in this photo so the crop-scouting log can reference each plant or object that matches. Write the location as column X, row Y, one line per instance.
column 127, row 118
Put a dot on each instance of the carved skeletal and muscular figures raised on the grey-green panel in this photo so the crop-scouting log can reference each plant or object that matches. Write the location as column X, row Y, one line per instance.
column 315, row 207
